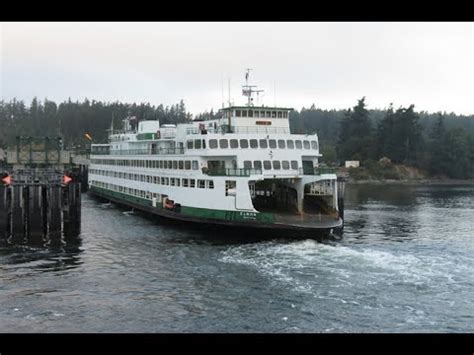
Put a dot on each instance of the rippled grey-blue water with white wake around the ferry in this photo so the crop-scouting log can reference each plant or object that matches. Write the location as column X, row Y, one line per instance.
column 405, row 264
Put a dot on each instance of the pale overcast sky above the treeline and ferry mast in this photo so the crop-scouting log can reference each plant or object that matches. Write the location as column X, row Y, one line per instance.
column 329, row 64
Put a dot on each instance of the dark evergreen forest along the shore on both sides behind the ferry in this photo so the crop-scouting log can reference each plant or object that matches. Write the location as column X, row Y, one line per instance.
column 441, row 144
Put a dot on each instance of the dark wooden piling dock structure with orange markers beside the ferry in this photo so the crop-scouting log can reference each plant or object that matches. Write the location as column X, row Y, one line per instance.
column 40, row 193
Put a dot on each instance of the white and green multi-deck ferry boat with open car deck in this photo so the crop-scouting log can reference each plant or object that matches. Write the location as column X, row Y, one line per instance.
column 244, row 169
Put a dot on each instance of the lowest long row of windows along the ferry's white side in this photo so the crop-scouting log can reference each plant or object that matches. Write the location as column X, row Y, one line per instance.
column 171, row 181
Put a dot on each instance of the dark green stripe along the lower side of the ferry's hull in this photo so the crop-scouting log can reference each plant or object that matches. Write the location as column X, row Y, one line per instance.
column 193, row 211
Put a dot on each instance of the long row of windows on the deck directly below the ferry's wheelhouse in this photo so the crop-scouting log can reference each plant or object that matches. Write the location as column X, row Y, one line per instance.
column 252, row 143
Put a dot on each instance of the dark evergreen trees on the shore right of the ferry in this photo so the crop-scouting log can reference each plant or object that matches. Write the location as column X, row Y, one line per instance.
column 441, row 144
